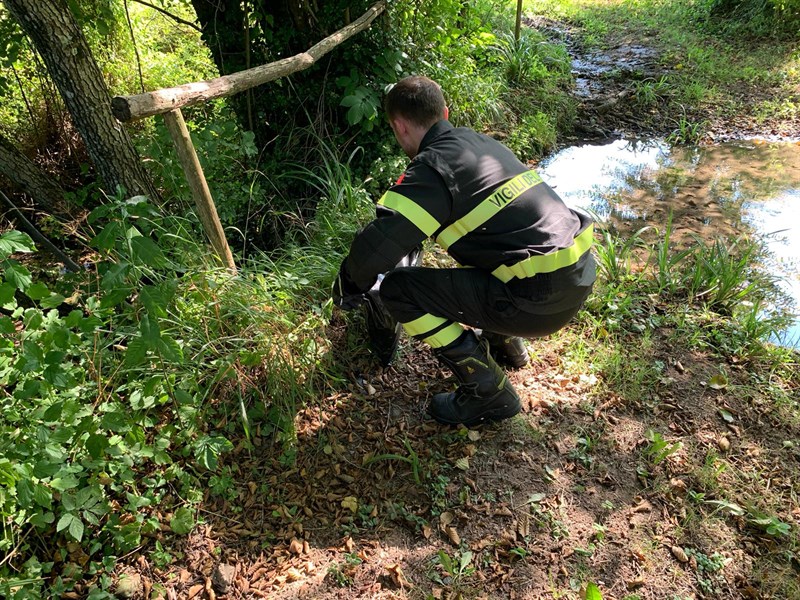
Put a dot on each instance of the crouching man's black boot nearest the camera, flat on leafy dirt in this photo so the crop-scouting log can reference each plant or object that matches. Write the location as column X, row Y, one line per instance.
column 485, row 394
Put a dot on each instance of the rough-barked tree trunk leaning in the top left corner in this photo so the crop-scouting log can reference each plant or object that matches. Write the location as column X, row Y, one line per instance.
column 60, row 42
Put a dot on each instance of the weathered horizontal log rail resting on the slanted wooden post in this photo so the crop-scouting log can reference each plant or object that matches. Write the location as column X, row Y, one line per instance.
column 128, row 108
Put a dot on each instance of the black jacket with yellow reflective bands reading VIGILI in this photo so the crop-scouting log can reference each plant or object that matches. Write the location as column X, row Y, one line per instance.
column 486, row 208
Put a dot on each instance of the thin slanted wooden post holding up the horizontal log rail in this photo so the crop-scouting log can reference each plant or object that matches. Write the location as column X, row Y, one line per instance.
column 199, row 187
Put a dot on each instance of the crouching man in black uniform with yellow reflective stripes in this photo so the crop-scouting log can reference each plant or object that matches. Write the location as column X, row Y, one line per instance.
column 524, row 256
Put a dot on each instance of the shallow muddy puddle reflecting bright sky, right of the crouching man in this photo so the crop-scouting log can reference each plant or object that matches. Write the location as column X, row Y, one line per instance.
column 723, row 190
